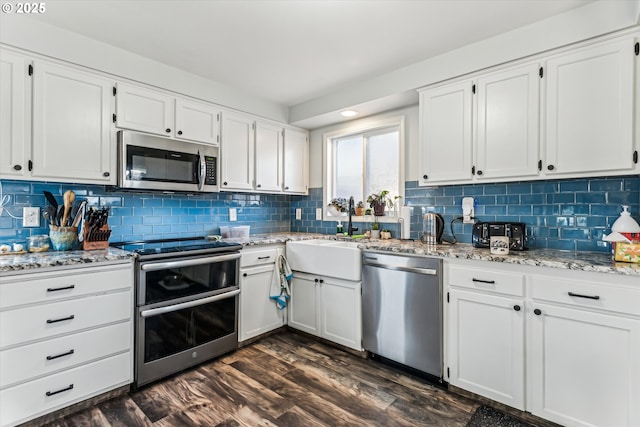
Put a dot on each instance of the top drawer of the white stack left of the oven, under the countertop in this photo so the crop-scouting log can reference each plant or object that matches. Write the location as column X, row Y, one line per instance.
column 36, row 288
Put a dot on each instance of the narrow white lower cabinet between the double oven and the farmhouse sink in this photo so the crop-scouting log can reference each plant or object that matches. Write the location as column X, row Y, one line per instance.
column 258, row 312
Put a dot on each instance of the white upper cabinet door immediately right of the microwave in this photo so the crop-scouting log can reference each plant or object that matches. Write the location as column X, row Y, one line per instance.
column 236, row 152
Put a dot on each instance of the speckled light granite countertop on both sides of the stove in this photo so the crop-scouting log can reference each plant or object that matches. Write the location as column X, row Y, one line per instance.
column 584, row 261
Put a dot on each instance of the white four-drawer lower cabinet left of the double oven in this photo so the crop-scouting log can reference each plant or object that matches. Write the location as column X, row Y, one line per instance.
column 65, row 336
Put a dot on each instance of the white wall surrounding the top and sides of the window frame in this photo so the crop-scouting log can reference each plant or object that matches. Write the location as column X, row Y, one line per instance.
column 411, row 143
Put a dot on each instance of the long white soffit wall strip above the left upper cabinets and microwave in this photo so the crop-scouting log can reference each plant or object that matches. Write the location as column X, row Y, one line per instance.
column 41, row 38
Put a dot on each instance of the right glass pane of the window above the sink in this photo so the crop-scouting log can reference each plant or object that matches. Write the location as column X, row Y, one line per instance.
column 382, row 163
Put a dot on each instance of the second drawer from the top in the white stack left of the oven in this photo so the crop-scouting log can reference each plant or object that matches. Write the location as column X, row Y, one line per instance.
column 44, row 321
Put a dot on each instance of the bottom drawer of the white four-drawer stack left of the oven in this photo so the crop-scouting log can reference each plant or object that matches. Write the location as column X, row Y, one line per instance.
column 29, row 400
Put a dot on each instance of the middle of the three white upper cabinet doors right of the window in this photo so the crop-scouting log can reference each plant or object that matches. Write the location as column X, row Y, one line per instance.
column 508, row 123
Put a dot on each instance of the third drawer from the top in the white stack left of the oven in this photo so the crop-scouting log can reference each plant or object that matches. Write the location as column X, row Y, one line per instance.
column 34, row 360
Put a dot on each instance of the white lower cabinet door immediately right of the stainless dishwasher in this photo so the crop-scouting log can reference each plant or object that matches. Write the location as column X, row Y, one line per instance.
column 486, row 345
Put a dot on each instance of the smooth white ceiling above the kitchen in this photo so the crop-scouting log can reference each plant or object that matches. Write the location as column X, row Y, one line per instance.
column 291, row 51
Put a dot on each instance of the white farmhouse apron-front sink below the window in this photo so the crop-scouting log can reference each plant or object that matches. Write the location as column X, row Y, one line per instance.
column 326, row 257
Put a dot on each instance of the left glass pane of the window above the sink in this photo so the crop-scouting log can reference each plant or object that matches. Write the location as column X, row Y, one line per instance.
column 348, row 168
